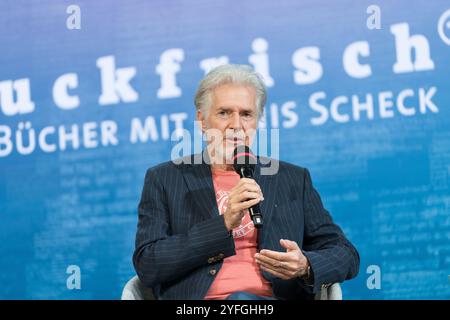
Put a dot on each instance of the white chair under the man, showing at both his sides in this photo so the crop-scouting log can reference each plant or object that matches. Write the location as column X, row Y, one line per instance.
column 135, row 290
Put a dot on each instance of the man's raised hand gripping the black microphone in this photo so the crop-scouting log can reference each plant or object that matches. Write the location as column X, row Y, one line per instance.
column 245, row 194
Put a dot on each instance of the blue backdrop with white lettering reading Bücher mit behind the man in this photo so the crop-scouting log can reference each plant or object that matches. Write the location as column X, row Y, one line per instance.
column 90, row 95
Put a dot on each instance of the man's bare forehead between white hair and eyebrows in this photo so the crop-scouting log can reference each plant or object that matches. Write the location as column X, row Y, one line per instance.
column 232, row 95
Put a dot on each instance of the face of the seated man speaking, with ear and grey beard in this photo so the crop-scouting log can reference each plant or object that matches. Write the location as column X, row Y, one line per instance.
column 231, row 120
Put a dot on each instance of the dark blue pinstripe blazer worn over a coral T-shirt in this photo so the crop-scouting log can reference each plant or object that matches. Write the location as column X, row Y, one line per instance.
column 181, row 238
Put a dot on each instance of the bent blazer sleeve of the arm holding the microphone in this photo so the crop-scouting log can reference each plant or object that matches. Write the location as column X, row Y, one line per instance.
column 160, row 256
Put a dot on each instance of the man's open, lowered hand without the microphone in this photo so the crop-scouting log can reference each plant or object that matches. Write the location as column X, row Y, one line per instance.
column 285, row 265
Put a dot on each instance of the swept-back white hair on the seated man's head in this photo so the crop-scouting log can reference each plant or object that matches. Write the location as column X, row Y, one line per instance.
column 238, row 74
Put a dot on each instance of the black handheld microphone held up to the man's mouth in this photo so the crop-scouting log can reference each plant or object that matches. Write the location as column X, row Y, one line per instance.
column 244, row 162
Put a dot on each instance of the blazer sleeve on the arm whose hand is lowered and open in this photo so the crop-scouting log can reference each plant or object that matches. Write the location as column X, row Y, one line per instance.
column 331, row 256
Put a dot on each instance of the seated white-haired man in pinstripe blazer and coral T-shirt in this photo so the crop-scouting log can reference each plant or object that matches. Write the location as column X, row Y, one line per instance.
column 195, row 239
